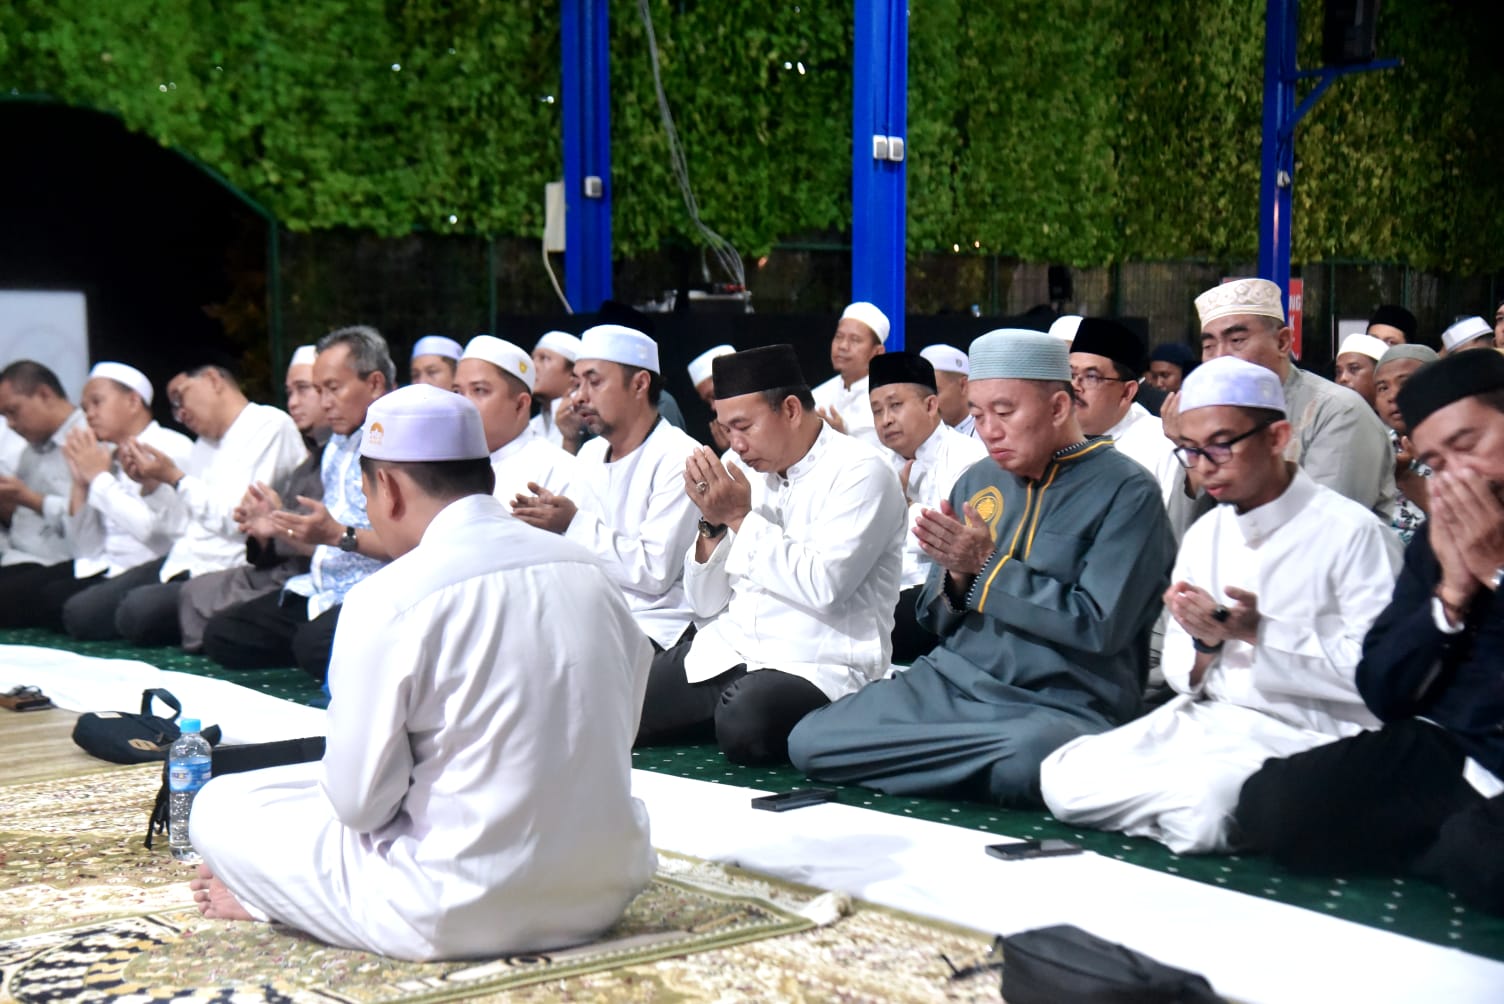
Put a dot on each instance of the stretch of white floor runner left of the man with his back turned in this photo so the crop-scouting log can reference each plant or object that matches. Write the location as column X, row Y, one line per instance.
column 83, row 683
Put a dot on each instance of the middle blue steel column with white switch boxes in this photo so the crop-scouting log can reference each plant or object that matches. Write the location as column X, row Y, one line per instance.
column 879, row 107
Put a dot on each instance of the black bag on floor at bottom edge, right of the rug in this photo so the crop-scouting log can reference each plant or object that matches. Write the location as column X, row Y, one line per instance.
column 1058, row 964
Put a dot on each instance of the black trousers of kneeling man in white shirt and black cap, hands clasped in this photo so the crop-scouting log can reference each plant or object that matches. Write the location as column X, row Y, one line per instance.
column 748, row 713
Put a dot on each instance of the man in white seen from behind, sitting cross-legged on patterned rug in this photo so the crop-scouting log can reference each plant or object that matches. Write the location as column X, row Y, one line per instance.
column 475, row 799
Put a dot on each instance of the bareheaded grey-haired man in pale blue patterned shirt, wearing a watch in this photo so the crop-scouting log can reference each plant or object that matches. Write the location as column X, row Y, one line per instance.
column 296, row 626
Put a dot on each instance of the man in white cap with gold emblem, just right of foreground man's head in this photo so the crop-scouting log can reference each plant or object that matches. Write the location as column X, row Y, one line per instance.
column 499, row 378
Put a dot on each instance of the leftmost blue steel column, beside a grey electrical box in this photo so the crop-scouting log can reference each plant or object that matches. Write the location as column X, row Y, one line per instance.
column 587, row 153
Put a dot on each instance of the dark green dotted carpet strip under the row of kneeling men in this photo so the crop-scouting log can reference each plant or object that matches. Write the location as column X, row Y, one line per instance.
column 1408, row 907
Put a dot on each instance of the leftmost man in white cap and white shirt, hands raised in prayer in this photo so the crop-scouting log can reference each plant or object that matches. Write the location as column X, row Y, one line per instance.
column 111, row 527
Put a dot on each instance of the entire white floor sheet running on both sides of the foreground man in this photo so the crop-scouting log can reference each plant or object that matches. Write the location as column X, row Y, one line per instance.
column 1251, row 949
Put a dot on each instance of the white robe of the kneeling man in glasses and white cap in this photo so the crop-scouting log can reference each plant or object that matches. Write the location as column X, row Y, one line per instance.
column 1323, row 569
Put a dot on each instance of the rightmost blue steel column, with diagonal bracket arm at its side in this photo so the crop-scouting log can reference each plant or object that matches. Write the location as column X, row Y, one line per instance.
column 1279, row 145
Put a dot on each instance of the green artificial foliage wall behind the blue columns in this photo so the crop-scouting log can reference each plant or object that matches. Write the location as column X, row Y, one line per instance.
column 1079, row 132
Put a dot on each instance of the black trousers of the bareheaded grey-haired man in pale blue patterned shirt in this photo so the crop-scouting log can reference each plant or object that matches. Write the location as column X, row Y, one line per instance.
column 273, row 632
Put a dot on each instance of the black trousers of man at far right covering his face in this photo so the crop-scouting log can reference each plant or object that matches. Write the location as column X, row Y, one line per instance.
column 1381, row 802
